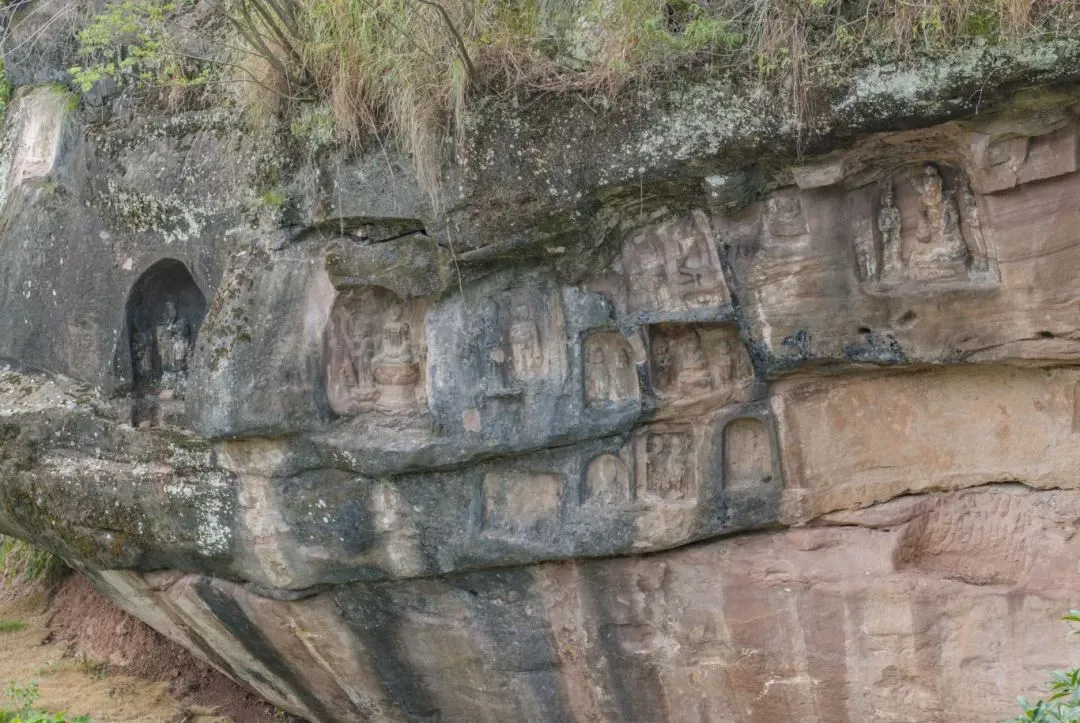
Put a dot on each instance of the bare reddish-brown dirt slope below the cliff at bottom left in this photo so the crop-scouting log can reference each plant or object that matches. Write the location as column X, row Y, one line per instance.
column 90, row 658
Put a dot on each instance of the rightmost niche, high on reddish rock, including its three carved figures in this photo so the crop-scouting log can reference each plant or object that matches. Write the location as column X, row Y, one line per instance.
column 927, row 230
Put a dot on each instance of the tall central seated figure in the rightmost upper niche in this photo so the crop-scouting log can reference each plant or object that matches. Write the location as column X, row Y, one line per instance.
column 940, row 246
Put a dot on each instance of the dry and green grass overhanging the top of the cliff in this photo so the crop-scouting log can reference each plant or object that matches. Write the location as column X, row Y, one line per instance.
column 410, row 69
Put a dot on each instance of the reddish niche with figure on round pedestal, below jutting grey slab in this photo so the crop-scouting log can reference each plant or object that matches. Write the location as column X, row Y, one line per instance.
column 377, row 354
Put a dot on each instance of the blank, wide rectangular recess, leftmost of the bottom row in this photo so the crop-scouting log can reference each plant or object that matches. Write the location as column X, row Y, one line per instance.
column 522, row 503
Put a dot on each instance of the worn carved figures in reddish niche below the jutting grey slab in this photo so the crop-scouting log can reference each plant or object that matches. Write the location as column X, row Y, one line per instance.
column 377, row 369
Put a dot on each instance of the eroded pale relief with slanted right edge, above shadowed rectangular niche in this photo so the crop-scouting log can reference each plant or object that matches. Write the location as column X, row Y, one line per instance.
column 669, row 267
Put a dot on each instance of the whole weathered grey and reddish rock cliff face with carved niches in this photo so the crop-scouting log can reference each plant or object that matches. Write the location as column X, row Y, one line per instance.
column 646, row 424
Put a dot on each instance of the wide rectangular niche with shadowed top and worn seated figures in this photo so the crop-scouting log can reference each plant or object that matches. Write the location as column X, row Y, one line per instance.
column 693, row 361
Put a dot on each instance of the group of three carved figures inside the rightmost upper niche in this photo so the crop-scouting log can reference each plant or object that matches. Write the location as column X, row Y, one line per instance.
column 949, row 237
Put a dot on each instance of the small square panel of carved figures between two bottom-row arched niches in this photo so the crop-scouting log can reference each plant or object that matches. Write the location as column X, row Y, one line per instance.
column 668, row 465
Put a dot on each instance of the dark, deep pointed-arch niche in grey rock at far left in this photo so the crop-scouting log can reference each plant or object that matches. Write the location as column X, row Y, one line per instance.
column 166, row 310
